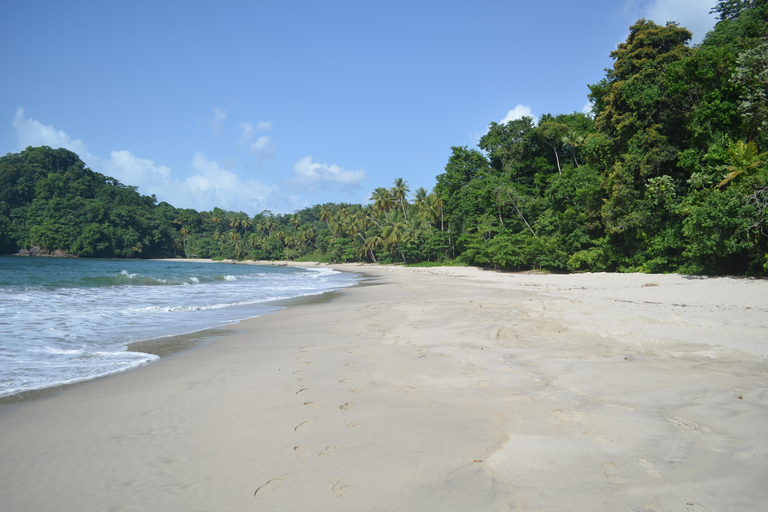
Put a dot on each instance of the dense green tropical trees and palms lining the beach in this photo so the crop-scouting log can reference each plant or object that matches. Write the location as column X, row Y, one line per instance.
column 666, row 176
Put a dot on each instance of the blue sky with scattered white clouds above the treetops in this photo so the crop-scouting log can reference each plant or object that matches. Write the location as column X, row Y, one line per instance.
column 253, row 105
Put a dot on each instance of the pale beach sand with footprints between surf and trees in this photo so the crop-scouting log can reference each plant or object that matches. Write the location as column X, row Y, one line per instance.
column 432, row 389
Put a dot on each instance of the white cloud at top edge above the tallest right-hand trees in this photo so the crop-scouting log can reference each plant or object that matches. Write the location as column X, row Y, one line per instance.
column 691, row 14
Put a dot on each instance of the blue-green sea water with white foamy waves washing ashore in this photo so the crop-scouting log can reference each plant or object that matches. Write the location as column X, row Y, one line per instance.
column 68, row 320
